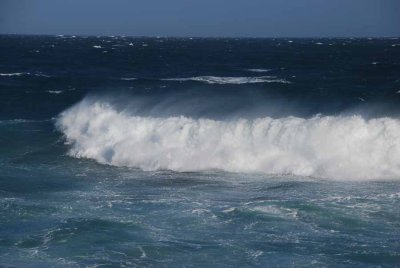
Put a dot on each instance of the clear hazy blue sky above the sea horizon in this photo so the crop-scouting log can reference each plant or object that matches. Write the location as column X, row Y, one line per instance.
column 203, row 18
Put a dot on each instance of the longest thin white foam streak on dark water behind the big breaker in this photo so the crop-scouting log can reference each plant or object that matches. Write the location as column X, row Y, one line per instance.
column 230, row 80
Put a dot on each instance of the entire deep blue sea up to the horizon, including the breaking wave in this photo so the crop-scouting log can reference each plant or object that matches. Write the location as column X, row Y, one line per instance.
column 196, row 152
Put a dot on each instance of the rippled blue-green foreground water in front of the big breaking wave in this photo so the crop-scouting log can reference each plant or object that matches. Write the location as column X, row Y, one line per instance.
column 77, row 212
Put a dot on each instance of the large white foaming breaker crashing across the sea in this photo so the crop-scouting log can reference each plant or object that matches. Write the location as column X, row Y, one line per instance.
column 339, row 147
